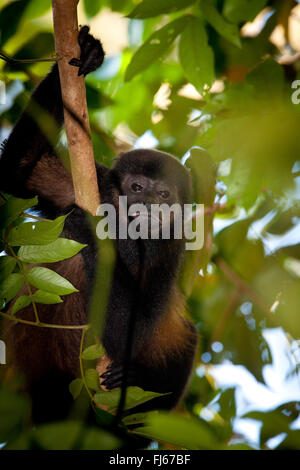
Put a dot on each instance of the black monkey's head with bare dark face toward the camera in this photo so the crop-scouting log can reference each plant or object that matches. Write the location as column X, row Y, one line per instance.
column 156, row 187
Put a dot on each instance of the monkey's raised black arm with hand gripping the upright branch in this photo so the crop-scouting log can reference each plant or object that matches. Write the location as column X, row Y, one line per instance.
column 36, row 133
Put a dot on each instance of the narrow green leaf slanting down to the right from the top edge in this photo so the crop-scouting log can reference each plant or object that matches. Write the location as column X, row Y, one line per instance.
column 228, row 30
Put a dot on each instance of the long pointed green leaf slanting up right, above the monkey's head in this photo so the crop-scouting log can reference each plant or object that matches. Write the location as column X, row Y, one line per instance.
column 155, row 46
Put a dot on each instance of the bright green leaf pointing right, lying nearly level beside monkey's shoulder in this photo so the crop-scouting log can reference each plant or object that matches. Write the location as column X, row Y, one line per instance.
column 60, row 249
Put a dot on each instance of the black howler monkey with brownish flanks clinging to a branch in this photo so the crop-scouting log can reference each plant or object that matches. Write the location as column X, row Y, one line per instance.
column 163, row 340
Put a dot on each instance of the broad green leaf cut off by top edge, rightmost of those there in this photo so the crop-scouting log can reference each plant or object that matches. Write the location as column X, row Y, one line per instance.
column 239, row 11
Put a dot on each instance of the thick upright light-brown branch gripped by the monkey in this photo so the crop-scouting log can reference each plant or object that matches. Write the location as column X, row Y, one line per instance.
column 75, row 107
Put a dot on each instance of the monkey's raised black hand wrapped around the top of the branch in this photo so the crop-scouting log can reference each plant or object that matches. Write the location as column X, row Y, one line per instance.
column 92, row 53
